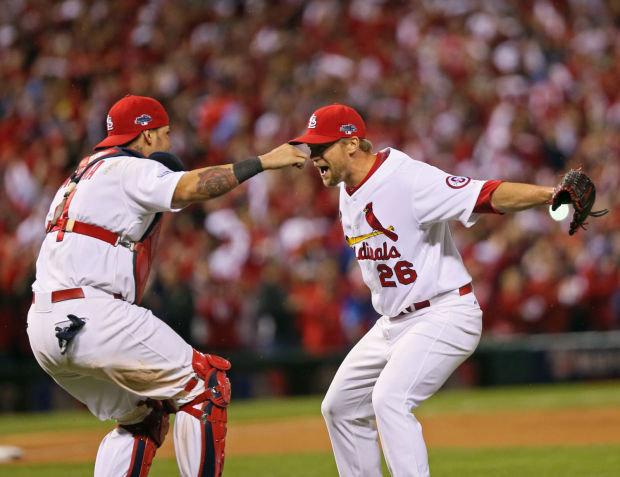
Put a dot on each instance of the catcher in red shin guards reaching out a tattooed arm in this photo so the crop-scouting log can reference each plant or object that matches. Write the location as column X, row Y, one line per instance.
column 86, row 327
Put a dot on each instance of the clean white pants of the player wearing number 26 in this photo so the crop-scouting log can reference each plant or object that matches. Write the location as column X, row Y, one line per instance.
column 395, row 367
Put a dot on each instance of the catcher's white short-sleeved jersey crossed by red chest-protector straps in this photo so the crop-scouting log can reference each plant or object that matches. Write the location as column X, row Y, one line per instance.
column 120, row 194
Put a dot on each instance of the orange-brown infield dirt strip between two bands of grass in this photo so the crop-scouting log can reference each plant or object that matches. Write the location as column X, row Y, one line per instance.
column 497, row 429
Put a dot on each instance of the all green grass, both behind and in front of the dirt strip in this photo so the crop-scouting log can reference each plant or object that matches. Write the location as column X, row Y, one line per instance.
column 549, row 461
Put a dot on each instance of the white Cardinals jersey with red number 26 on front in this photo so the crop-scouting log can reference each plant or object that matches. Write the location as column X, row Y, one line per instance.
column 396, row 222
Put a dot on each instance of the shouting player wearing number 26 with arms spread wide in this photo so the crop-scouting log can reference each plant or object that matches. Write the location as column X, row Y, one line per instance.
column 394, row 212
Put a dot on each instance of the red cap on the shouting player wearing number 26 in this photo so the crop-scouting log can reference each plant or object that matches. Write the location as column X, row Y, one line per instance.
column 331, row 123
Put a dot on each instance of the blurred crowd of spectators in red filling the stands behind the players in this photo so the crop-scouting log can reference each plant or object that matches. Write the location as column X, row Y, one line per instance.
column 490, row 89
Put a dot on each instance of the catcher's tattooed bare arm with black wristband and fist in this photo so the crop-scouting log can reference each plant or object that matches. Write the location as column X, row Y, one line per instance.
column 210, row 182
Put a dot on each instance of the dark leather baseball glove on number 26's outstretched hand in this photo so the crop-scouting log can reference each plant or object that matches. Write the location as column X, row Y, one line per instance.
column 576, row 188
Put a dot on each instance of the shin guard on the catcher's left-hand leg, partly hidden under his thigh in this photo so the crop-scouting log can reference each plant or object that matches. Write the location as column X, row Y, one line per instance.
column 149, row 434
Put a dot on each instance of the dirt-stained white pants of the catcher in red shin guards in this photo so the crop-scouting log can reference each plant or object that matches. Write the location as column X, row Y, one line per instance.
column 121, row 356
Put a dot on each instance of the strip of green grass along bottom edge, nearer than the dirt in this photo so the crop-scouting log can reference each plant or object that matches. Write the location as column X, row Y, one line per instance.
column 592, row 461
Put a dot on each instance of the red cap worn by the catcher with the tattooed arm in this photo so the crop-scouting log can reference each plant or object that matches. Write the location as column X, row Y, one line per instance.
column 130, row 116
